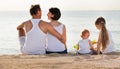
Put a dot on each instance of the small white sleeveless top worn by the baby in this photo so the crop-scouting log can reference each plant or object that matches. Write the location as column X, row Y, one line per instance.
column 84, row 46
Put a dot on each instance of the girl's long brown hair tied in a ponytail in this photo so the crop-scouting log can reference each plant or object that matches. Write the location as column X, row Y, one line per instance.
column 104, row 40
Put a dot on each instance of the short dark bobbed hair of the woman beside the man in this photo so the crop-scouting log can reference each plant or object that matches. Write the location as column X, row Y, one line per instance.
column 56, row 13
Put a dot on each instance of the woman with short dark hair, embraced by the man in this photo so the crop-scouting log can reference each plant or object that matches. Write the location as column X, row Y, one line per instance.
column 54, row 45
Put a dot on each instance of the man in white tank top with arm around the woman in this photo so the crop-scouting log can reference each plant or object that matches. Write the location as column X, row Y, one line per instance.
column 33, row 40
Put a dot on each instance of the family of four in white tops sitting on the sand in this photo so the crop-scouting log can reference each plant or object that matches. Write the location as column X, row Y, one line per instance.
column 40, row 37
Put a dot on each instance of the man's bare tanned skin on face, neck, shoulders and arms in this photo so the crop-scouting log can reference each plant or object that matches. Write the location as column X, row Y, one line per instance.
column 44, row 26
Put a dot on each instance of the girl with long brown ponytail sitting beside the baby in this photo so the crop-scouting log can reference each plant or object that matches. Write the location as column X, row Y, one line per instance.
column 105, row 41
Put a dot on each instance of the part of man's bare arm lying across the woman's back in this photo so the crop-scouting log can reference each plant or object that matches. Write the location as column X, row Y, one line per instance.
column 55, row 33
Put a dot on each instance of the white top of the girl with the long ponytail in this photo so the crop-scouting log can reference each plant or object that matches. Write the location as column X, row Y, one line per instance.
column 110, row 46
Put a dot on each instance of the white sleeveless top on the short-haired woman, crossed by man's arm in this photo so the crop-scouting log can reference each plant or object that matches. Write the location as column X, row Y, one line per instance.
column 54, row 45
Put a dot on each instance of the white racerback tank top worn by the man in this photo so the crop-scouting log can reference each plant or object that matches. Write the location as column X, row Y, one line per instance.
column 35, row 41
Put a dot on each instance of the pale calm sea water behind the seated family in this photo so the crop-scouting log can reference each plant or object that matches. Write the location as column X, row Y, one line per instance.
column 75, row 22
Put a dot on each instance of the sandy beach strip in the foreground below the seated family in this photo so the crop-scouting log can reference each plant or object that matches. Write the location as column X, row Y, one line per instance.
column 58, row 61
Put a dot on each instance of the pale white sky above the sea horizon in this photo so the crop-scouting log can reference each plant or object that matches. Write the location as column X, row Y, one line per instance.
column 23, row 5
